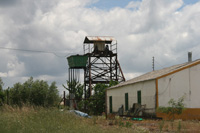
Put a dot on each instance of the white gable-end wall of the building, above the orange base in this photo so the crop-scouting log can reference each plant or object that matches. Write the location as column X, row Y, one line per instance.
column 183, row 83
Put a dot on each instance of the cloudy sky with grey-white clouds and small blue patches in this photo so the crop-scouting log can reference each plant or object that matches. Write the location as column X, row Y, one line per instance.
column 165, row 29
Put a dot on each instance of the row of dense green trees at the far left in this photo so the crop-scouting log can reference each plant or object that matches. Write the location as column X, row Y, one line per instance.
column 31, row 92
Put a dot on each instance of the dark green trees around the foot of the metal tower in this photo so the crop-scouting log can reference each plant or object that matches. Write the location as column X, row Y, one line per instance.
column 96, row 103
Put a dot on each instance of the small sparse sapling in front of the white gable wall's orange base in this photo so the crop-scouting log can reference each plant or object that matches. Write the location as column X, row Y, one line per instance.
column 174, row 108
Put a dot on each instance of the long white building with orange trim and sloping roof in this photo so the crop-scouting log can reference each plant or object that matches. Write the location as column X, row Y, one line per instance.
column 156, row 88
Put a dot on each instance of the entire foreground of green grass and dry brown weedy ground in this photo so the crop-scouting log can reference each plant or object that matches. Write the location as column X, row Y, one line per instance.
column 37, row 119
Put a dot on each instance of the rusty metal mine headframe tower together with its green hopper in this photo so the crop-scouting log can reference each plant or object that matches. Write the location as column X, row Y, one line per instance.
column 99, row 62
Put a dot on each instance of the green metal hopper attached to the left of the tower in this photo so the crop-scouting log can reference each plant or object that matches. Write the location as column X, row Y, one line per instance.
column 77, row 61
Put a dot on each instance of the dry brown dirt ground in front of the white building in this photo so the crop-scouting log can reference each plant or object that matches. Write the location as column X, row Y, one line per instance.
column 192, row 126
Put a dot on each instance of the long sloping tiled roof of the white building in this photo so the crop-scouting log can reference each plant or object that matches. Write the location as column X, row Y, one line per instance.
column 158, row 73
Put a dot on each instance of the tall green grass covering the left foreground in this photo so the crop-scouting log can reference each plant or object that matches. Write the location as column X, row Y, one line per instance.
column 38, row 119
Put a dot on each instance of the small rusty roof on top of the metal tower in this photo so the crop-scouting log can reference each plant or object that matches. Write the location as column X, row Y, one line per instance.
column 92, row 39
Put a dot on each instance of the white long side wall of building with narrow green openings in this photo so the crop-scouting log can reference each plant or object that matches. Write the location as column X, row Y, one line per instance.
column 148, row 94
